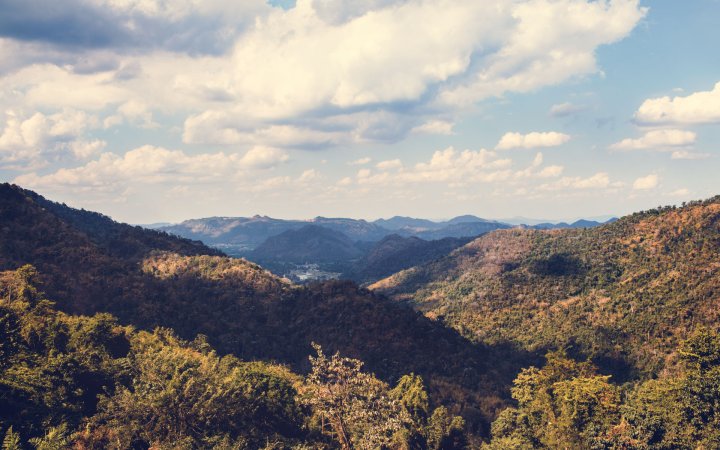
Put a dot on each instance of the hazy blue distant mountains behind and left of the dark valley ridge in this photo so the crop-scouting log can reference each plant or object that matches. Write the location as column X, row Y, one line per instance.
column 241, row 236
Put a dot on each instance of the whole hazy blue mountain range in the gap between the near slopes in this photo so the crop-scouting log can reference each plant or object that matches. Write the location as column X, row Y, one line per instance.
column 339, row 247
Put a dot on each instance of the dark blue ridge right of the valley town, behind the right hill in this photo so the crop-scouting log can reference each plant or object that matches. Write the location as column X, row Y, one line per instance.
column 395, row 253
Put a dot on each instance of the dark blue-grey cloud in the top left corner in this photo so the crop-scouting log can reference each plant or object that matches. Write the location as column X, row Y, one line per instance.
column 187, row 25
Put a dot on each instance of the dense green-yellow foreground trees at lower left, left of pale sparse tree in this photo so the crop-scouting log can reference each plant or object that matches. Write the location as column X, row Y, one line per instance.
column 92, row 383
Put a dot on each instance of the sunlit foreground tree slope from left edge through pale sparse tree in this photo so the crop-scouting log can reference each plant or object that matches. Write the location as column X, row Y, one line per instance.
column 89, row 383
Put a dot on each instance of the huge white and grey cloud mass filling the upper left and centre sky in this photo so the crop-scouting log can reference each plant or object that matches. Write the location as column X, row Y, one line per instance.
column 247, row 73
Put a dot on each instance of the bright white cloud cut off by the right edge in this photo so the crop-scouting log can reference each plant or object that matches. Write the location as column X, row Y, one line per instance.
column 699, row 107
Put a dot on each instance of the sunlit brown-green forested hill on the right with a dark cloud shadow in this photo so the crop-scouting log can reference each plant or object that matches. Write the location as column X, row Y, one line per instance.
column 623, row 293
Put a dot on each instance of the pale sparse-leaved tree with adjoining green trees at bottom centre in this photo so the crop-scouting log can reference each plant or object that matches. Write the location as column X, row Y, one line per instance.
column 362, row 412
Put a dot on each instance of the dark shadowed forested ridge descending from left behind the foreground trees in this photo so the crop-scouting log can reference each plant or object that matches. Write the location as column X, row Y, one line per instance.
column 88, row 264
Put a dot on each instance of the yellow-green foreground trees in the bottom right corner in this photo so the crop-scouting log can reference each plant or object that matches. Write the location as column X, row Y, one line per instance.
column 565, row 405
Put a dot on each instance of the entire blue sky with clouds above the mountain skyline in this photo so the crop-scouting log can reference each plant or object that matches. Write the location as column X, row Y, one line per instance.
column 165, row 110
